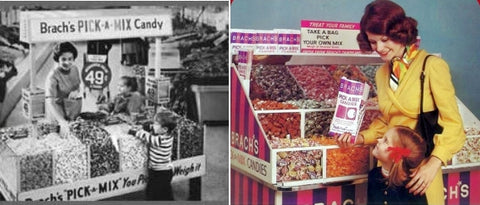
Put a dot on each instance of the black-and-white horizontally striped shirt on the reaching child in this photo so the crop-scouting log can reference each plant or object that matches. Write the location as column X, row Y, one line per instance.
column 160, row 150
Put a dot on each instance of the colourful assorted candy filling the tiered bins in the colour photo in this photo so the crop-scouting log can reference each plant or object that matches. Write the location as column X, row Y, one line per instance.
column 310, row 92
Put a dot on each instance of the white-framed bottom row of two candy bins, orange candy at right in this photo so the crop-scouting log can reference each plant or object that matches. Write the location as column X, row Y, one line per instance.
column 320, row 164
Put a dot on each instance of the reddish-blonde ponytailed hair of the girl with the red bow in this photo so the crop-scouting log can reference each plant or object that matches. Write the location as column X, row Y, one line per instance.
column 401, row 170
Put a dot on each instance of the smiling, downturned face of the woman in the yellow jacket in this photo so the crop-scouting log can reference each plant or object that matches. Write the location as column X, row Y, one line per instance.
column 385, row 47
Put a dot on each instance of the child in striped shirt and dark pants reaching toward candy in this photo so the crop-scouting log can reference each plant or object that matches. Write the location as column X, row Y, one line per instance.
column 160, row 142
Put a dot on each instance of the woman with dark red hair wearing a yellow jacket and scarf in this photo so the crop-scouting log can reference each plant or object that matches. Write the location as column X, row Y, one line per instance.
column 386, row 30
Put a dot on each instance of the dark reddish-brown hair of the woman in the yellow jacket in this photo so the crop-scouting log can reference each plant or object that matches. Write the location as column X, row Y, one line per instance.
column 383, row 17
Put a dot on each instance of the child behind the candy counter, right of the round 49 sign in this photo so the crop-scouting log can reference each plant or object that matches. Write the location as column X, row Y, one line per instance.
column 128, row 99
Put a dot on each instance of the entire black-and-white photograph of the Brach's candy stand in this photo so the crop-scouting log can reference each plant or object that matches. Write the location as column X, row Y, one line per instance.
column 114, row 101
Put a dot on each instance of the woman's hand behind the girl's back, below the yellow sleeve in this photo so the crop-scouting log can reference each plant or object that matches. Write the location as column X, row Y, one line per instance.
column 423, row 176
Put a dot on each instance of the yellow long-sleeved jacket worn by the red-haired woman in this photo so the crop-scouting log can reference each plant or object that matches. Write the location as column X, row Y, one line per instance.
column 401, row 107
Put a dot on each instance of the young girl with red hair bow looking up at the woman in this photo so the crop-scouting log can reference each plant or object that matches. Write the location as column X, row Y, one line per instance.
column 400, row 152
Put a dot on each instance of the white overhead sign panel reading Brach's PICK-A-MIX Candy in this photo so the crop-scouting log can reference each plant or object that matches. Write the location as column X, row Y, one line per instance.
column 82, row 25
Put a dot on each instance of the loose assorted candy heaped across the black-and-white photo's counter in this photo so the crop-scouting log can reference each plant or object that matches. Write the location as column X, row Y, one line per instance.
column 89, row 150
